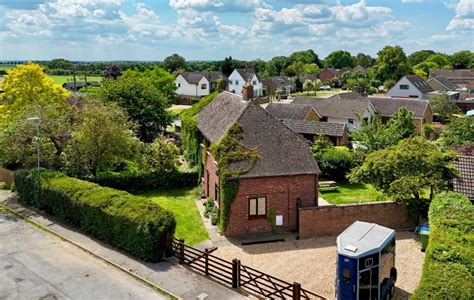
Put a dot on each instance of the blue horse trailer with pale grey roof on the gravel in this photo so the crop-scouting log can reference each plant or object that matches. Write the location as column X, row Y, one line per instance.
column 366, row 262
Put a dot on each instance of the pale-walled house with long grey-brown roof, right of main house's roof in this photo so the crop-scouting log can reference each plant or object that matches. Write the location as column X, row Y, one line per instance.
column 340, row 109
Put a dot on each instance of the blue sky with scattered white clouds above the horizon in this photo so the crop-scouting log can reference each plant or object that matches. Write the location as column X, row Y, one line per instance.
column 214, row 29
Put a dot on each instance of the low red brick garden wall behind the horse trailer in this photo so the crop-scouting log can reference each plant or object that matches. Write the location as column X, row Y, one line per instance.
column 332, row 220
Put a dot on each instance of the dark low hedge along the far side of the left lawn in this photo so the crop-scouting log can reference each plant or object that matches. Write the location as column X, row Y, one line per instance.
column 133, row 182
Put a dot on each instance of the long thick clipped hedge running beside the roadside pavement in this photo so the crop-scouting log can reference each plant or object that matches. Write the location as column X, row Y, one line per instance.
column 131, row 223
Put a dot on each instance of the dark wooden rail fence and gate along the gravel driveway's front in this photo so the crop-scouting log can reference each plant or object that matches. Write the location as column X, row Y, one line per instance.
column 237, row 275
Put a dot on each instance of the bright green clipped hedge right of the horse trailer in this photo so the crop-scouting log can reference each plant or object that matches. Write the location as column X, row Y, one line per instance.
column 448, row 270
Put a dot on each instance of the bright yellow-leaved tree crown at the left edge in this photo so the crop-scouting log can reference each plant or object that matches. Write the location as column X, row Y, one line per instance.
column 26, row 85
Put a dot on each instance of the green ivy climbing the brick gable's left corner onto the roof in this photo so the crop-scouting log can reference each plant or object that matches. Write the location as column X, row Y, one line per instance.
column 227, row 151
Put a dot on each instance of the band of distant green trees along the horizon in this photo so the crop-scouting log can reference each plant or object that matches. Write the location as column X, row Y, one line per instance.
column 298, row 63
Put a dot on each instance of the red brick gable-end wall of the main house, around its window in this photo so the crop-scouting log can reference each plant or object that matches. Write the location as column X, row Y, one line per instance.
column 282, row 194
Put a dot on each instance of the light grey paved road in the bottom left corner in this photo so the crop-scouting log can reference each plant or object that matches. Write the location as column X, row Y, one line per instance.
column 36, row 265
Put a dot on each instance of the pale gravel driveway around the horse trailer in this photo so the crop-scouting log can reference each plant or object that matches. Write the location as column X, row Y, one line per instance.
column 312, row 262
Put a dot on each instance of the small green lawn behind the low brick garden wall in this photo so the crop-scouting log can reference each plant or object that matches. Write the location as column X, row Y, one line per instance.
column 348, row 193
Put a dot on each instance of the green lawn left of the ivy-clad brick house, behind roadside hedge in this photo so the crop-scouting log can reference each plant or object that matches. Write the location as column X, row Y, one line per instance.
column 189, row 225
